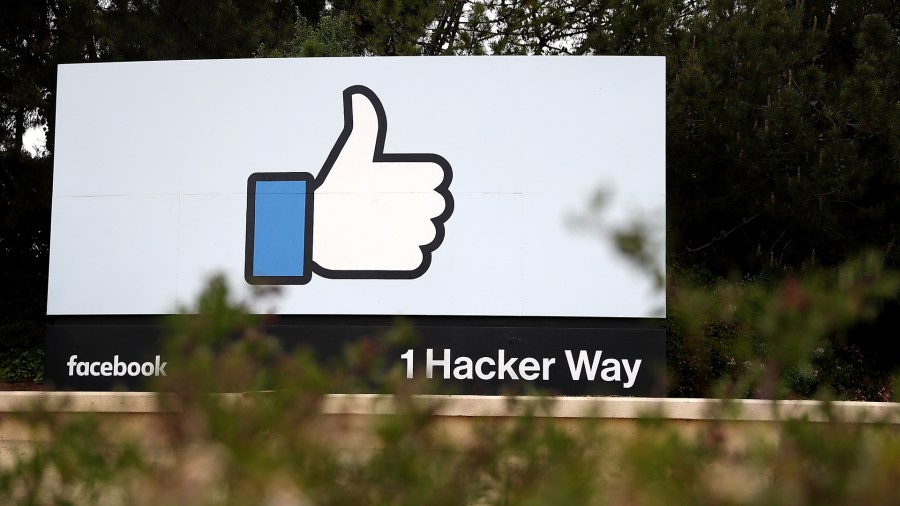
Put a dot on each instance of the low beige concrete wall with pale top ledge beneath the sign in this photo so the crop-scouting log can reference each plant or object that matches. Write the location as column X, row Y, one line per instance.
column 139, row 412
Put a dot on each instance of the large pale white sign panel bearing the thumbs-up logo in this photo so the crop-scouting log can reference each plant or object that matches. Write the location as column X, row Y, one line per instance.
column 417, row 186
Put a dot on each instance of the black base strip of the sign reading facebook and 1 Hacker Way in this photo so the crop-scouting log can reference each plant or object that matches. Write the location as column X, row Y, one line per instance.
column 464, row 355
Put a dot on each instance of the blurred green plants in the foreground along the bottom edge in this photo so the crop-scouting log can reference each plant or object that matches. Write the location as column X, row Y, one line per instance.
column 275, row 446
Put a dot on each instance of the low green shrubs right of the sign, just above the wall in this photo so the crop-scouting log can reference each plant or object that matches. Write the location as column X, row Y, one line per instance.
column 784, row 338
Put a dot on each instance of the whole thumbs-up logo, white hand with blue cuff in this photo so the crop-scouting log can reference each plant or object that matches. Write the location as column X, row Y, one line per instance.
column 366, row 215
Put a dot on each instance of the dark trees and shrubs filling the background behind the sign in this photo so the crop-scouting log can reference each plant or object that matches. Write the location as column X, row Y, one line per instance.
column 782, row 152
